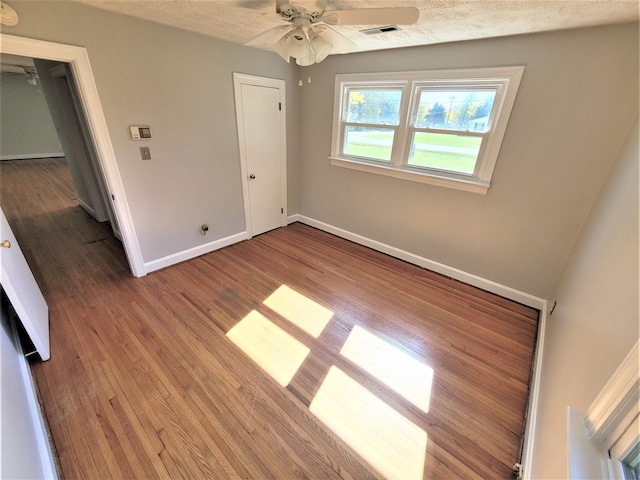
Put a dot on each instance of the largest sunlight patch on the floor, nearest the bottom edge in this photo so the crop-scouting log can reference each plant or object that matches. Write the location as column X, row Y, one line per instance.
column 391, row 443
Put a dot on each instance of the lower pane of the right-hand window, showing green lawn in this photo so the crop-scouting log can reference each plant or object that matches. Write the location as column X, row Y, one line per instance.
column 454, row 153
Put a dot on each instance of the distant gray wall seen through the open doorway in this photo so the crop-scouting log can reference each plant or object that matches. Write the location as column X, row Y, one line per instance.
column 26, row 128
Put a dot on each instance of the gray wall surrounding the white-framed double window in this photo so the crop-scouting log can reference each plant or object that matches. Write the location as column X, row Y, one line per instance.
column 577, row 99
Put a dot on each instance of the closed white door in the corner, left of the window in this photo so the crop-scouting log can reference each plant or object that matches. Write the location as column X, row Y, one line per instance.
column 261, row 124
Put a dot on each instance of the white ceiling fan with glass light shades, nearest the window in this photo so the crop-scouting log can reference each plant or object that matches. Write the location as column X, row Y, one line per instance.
column 309, row 35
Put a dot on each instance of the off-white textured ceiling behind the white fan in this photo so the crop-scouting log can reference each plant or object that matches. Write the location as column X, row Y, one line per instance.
column 440, row 20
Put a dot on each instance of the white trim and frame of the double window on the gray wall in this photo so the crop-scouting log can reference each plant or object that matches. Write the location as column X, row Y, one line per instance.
column 508, row 77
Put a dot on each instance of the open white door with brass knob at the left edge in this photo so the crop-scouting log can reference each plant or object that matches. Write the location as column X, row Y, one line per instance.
column 23, row 291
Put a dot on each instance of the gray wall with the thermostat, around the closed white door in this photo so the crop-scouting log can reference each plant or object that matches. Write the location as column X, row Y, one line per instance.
column 180, row 84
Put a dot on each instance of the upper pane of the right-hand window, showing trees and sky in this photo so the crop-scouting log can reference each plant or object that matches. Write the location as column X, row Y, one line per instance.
column 455, row 109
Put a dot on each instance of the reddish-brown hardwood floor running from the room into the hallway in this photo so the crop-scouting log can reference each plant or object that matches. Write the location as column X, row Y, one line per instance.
column 144, row 382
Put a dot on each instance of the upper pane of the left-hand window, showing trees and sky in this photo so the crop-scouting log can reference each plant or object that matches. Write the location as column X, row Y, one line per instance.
column 380, row 107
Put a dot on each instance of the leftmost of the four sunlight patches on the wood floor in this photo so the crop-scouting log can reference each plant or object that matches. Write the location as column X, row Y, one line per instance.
column 273, row 349
